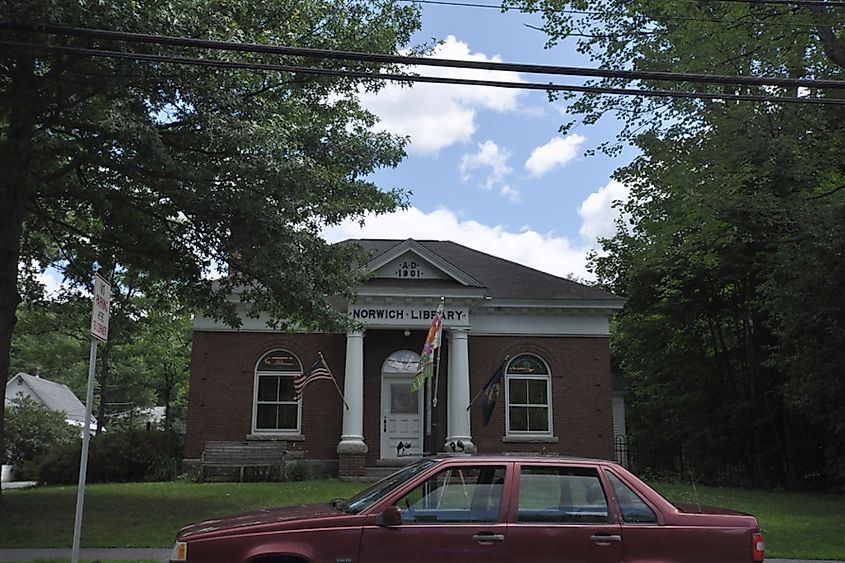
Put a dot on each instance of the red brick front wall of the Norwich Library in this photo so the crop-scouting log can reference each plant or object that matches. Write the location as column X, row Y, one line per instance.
column 222, row 379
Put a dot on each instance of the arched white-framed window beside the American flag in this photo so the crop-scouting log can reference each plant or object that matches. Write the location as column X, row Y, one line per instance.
column 276, row 410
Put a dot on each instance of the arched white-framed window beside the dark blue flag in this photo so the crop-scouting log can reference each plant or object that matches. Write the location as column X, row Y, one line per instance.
column 529, row 391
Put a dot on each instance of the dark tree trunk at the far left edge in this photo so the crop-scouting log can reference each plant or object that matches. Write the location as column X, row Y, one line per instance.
column 15, row 163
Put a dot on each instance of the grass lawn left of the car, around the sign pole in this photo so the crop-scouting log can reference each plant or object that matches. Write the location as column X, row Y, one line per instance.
column 142, row 514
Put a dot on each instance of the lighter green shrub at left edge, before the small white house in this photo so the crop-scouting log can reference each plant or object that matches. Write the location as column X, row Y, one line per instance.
column 32, row 431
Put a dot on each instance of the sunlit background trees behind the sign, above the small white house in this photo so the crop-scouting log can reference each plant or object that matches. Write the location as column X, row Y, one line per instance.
column 148, row 349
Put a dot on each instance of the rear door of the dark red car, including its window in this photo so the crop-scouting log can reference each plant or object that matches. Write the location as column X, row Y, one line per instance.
column 561, row 514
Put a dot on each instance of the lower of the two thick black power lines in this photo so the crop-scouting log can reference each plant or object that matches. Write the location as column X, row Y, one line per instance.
column 216, row 63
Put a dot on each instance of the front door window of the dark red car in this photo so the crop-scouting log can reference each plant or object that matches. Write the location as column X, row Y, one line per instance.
column 454, row 495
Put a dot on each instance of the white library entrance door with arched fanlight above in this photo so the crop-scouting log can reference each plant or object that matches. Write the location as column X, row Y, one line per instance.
column 401, row 407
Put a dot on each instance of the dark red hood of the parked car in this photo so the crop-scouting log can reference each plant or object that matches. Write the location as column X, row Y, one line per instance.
column 290, row 517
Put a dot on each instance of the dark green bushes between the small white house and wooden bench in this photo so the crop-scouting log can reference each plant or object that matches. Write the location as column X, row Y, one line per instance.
column 130, row 455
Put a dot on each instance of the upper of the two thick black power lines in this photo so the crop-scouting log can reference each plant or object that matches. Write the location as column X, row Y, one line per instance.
column 730, row 80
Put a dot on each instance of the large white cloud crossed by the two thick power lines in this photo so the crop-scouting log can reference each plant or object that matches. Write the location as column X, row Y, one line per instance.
column 436, row 116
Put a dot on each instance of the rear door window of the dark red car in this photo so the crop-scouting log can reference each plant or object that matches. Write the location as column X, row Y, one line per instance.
column 561, row 494
